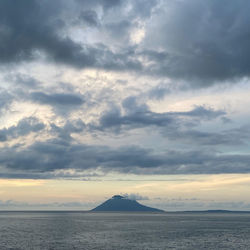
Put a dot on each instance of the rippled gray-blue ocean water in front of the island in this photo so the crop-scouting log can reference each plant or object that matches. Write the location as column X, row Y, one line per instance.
column 81, row 230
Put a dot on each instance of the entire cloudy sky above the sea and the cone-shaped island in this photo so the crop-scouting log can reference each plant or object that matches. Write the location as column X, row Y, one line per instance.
column 145, row 98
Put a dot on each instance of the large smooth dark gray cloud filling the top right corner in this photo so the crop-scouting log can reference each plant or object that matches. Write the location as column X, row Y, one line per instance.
column 207, row 40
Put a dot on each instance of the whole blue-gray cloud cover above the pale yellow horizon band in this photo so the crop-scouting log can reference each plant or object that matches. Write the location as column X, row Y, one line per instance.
column 97, row 34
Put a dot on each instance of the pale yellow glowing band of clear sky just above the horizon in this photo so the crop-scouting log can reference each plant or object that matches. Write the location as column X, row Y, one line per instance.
column 165, row 191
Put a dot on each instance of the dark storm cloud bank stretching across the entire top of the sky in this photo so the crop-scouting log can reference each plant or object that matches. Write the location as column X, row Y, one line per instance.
column 204, row 41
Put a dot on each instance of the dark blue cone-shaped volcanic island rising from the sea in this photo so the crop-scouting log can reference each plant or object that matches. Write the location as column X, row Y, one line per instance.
column 119, row 203
